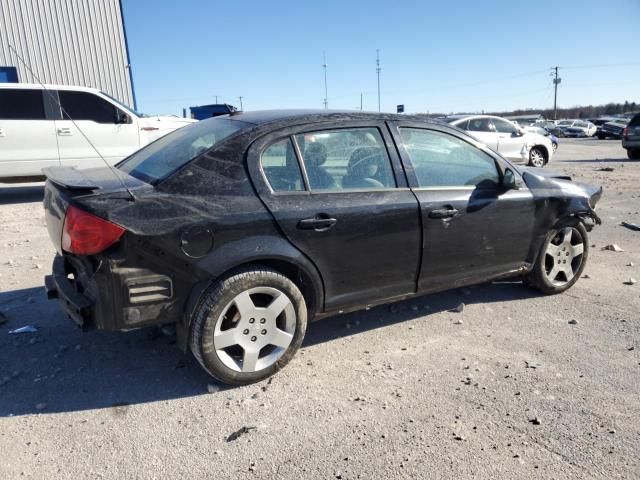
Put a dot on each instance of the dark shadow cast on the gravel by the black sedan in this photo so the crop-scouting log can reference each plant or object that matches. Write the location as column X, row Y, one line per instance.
column 61, row 369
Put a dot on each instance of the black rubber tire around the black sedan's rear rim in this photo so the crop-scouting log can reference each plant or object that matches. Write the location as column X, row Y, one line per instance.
column 213, row 303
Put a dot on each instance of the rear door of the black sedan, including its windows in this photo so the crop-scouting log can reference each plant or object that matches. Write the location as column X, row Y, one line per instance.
column 339, row 195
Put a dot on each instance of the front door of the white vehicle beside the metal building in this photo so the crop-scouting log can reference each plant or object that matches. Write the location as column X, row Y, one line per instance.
column 98, row 126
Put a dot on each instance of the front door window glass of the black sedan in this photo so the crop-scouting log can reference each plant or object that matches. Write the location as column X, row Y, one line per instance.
column 442, row 160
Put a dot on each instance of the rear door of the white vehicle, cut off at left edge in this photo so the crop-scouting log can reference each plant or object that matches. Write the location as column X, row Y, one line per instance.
column 27, row 135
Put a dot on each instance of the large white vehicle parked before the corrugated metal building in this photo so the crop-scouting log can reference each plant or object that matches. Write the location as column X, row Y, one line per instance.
column 36, row 132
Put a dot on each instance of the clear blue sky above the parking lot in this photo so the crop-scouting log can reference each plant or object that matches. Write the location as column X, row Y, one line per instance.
column 443, row 56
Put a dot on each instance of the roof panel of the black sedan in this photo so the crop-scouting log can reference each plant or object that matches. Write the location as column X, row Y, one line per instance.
column 263, row 117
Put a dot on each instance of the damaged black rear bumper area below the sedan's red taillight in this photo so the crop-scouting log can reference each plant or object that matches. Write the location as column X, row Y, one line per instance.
column 112, row 297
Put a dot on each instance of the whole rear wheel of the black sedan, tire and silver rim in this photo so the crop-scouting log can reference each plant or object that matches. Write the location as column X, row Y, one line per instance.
column 248, row 326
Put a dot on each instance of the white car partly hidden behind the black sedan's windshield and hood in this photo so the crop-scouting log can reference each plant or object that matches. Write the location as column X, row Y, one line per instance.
column 506, row 138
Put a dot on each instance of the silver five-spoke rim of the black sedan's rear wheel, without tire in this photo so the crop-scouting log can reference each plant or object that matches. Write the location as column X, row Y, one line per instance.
column 255, row 329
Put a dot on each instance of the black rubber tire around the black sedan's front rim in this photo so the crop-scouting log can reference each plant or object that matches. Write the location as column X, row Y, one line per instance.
column 538, row 278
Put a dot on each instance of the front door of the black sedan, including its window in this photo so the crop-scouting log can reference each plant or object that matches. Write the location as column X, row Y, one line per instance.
column 473, row 228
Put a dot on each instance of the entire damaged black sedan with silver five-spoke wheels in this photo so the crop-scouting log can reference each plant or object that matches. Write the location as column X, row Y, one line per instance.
column 241, row 229
